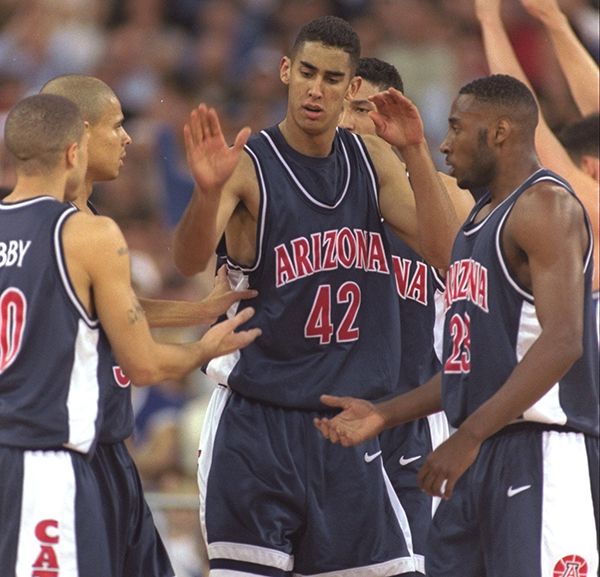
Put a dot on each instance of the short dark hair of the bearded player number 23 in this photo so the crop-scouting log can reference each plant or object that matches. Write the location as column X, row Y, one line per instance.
column 506, row 93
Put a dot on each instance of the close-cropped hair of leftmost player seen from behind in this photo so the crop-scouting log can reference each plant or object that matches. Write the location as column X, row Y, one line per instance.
column 39, row 129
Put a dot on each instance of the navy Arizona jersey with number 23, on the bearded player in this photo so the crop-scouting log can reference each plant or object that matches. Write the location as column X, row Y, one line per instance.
column 491, row 323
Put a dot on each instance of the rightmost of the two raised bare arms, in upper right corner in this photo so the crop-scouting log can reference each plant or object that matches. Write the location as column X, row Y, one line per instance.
column 578, row 66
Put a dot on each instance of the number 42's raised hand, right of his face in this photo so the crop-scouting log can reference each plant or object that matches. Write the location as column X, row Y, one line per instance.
column 397, row 119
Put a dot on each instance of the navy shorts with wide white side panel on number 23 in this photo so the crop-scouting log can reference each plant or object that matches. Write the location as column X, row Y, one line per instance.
column 527, row 507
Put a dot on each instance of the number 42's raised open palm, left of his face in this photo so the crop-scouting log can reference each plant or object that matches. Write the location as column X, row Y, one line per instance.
column 210, row 159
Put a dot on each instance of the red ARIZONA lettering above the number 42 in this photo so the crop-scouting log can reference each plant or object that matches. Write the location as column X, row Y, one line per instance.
column 328, row 251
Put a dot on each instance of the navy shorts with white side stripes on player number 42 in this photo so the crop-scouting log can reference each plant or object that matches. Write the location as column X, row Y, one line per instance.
column 276, row 498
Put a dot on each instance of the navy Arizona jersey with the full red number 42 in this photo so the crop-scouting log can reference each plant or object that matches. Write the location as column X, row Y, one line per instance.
column 326, row 302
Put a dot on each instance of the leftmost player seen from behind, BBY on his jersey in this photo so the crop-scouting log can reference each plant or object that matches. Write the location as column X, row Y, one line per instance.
column 66, row 300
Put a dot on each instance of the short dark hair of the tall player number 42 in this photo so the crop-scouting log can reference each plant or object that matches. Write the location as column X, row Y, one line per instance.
column 332, row 31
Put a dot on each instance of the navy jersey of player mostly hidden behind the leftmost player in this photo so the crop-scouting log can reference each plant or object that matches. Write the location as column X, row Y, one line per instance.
column 118, row 419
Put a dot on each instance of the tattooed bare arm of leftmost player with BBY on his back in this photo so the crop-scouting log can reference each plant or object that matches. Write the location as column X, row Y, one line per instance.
column 98, row 264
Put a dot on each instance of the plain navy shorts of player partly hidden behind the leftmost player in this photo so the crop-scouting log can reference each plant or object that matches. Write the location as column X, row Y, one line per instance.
column 136, row 549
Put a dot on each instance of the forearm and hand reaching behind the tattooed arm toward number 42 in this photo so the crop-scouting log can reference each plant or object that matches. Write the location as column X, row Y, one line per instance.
column 162, row 313
